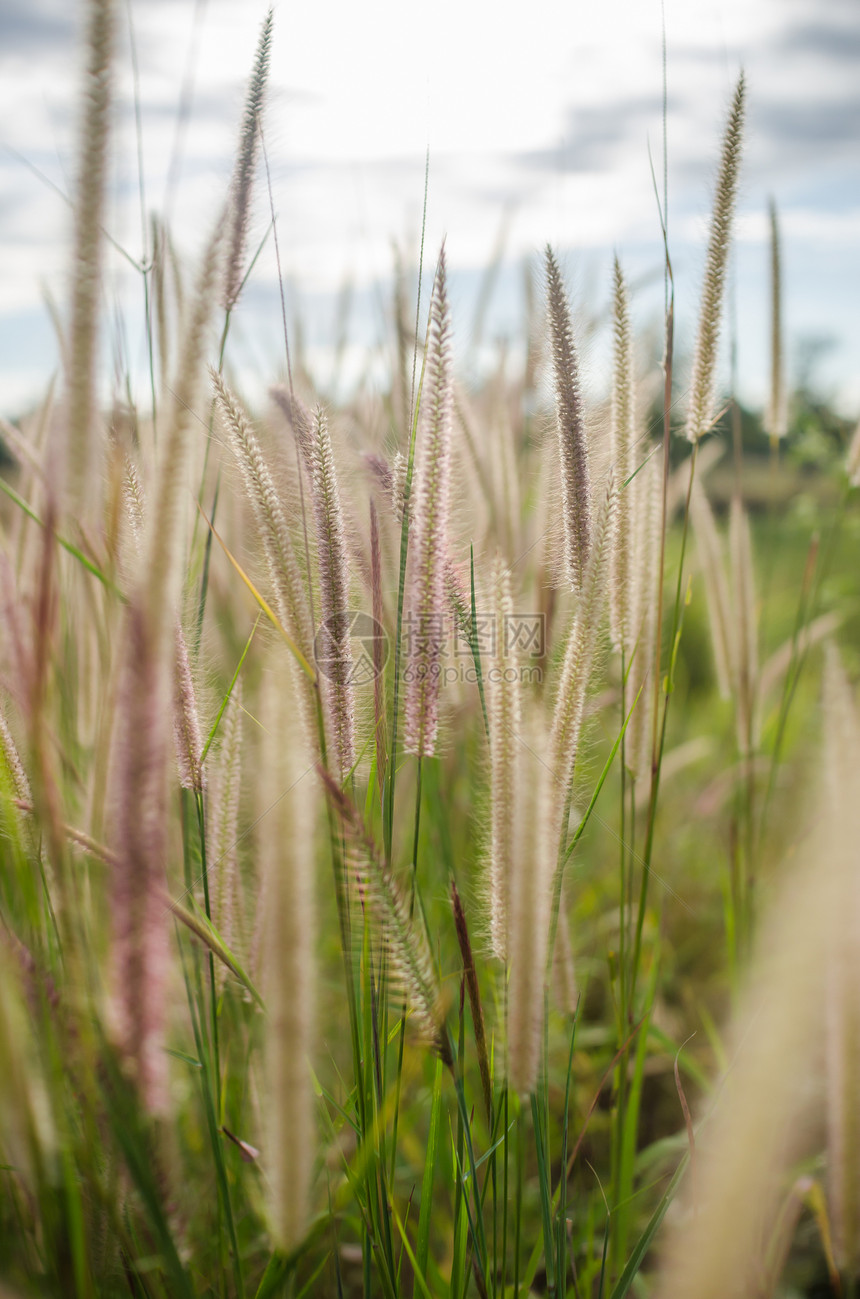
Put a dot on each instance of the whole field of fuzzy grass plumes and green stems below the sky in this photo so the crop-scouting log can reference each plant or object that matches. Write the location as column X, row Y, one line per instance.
column 370, row 901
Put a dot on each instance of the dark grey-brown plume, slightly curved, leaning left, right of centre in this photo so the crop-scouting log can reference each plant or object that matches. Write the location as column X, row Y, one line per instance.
column 574, row 450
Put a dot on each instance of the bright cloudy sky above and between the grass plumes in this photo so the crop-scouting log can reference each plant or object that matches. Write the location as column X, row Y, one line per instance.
column 542, row 124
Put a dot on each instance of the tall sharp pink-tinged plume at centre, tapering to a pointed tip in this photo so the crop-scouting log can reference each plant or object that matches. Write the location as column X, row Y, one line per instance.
column 425, row 602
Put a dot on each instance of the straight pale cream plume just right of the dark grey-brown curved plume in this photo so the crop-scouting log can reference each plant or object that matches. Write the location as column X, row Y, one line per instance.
column 623, row 436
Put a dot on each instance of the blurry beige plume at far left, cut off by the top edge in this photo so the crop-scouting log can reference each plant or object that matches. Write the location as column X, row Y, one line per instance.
column 89, row 220
